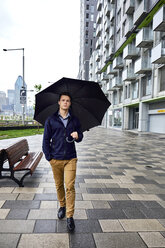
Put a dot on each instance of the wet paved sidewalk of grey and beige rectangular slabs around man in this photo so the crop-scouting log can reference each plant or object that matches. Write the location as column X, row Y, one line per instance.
column 120, row 199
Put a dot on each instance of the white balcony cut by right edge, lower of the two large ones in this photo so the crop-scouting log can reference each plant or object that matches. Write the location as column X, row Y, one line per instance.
column 158, row 53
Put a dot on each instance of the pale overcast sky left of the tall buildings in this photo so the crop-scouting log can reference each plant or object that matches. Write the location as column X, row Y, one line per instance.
column 49, row 30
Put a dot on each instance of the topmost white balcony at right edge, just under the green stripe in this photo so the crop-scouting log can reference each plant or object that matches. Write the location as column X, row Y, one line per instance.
column 159, row 20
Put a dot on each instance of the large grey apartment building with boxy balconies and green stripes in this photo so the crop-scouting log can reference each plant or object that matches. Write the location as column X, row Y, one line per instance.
column 129, row 62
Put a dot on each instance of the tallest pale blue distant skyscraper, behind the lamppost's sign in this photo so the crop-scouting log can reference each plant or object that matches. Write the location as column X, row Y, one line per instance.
column 18, row 87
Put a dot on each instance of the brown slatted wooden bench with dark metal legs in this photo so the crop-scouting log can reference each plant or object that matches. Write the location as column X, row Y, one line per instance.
column 18, row 158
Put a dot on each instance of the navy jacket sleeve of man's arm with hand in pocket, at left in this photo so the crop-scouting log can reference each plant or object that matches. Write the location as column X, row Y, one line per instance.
column 46, row 140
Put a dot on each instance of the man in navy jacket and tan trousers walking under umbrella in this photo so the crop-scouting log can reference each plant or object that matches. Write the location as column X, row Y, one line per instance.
column 61, row 130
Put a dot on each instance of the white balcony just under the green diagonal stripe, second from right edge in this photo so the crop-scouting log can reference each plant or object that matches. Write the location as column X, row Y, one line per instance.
column 144, row 38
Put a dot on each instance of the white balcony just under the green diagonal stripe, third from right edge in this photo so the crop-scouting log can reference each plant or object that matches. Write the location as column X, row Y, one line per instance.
column 130, row 52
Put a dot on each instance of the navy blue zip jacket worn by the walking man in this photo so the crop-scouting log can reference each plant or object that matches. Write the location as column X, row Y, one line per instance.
column 54, row 144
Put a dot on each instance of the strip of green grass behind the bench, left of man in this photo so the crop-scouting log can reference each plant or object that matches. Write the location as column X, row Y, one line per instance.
column 8, row 134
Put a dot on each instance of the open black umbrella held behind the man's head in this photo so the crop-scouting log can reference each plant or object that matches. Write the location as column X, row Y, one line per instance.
column 89, row 103
